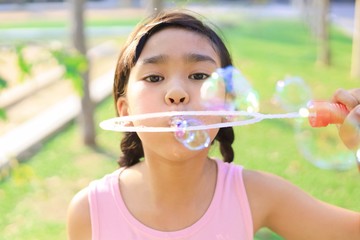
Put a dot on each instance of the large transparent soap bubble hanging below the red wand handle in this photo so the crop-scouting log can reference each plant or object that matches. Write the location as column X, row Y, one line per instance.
column 322, row 146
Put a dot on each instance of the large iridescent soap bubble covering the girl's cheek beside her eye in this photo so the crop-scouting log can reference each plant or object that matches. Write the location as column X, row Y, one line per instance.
column 228, row 89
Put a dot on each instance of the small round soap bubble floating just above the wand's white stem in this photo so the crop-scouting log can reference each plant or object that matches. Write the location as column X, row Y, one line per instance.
column 292, row 93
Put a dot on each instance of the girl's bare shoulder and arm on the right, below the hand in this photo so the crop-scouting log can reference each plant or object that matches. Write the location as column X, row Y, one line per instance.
column 285, row 208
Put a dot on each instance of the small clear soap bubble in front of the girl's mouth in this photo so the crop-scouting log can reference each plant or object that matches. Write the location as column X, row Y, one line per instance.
column 193, row 139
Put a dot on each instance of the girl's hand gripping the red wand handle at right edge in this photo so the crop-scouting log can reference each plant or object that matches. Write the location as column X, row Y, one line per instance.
column 349, row 131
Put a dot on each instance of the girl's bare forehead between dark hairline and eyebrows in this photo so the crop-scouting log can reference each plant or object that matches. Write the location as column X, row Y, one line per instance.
column 174, row 41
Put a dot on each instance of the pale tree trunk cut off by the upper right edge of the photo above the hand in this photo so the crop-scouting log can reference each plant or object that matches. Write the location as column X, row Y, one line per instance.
column 355, row 61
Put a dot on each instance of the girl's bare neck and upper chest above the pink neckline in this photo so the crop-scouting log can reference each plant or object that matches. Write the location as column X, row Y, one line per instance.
column 182, row 188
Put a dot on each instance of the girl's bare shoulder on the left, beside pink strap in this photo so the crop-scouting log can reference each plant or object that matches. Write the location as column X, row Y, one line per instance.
column 78, row 220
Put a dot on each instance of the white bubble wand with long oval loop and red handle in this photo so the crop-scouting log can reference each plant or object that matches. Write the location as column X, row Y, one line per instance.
column 319, row 113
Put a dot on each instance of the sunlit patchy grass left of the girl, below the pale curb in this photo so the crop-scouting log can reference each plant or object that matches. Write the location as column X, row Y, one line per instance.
column 34, row 199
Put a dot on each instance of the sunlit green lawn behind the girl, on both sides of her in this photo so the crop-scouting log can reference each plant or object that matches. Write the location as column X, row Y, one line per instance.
column 35, row 197
